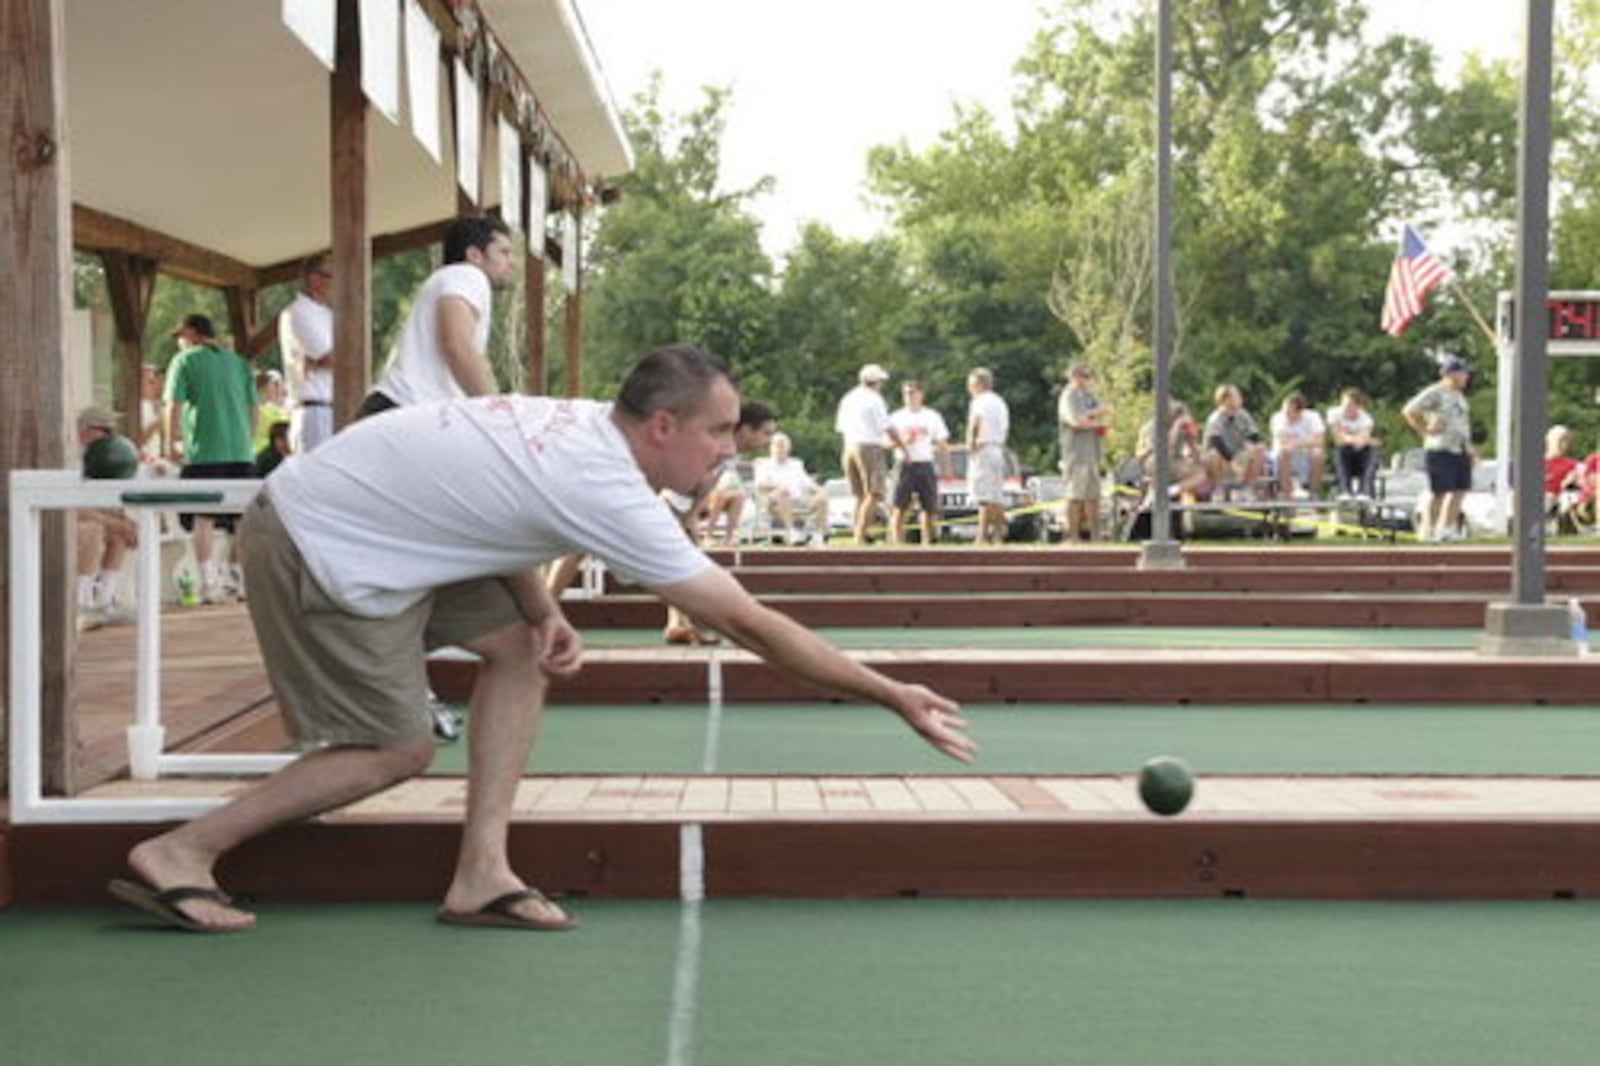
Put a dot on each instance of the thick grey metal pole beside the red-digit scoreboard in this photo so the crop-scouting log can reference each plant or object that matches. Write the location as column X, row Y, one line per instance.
column 1532, row 387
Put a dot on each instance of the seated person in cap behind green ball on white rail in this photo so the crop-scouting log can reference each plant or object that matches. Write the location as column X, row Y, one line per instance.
column 103, row 535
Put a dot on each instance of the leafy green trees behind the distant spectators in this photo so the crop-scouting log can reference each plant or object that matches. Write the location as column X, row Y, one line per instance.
column 1023, row 241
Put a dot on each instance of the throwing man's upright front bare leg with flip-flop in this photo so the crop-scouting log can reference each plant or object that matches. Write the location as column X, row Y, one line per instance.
column 508, row 703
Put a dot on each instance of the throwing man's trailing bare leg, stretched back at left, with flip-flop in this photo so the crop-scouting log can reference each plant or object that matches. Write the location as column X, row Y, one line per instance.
column 314, row 783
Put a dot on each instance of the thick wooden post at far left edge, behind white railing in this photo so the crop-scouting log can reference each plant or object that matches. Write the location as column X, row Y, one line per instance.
column 36, row 300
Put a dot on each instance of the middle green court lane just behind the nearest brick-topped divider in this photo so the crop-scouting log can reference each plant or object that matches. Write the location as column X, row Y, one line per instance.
column 1079, row 739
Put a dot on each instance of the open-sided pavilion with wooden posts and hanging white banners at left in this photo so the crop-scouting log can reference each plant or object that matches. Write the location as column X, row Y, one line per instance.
column 225, row 142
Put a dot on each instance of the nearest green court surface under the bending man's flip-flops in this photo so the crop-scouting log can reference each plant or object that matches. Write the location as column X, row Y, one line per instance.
column 818, row 984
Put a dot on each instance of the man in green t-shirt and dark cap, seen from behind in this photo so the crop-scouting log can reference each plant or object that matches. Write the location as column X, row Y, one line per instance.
column 212, row 422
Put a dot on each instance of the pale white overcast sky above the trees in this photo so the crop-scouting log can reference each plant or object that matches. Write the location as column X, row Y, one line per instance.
column 817, row 84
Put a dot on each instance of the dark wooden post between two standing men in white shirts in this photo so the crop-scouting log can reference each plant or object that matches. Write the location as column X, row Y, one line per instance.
column 353, row 247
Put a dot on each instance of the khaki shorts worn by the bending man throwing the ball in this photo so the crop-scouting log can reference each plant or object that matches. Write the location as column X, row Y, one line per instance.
column 343, row 679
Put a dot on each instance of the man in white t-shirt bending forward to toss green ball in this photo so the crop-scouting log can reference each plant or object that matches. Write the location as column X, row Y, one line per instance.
column 425, row 527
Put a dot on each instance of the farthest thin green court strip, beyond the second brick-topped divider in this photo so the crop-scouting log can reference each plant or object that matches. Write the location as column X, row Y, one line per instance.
column 1154, row 638
